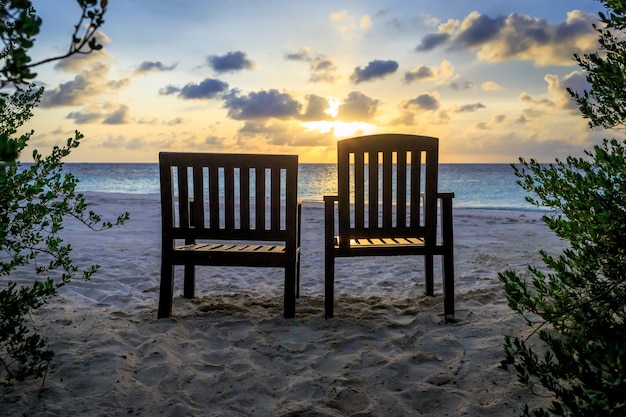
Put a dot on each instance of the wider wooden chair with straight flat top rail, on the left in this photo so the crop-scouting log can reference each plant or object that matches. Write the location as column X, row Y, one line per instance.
column 229, row 210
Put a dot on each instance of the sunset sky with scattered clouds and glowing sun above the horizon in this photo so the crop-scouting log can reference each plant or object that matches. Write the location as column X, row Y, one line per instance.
column 487, row 77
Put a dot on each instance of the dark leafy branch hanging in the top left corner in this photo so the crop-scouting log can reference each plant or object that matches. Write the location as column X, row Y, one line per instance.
column 19, row 25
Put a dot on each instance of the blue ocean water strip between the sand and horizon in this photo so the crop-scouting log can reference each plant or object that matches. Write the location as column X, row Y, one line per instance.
column 484, row 186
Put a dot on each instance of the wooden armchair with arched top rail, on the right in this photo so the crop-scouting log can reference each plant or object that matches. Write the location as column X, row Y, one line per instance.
column 388, row 205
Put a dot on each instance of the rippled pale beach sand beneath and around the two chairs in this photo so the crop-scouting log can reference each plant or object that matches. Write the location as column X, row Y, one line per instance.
column 230, row 352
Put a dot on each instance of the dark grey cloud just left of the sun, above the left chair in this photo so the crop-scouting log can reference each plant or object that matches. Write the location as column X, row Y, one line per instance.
column 264, row 104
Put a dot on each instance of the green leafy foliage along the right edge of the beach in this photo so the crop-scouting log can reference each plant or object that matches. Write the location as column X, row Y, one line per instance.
column 575, row 353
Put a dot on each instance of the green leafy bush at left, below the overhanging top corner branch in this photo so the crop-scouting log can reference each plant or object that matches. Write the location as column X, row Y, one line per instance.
column 34, row 201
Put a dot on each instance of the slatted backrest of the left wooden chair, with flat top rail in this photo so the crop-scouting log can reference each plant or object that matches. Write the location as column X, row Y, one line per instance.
column 228, row 196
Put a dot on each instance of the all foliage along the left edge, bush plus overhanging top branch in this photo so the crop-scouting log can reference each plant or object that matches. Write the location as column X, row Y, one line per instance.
column 35, row 199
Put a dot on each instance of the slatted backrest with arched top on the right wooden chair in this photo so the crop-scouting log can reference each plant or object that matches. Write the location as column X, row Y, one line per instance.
column 387, row 187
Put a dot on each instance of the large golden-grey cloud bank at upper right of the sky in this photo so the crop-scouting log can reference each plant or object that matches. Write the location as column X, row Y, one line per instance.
column 517, row 37
